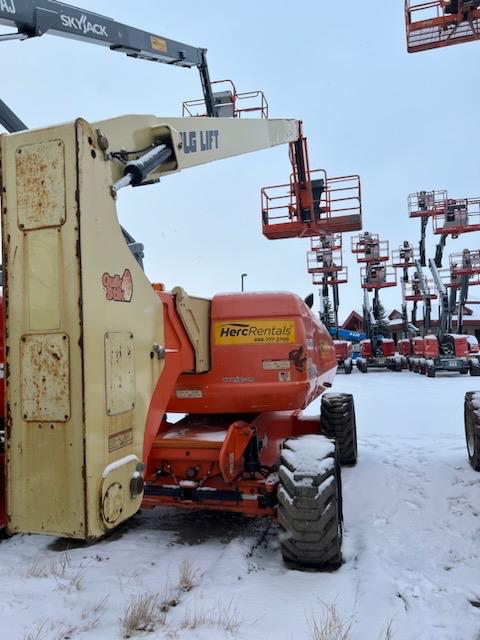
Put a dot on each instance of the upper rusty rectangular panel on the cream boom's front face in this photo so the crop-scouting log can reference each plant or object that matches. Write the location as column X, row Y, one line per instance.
column 40, row 172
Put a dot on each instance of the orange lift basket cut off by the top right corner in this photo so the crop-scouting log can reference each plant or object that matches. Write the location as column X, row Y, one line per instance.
column 440, row 23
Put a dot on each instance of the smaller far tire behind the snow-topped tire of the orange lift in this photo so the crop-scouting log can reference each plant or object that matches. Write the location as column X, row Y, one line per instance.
column 337, row 421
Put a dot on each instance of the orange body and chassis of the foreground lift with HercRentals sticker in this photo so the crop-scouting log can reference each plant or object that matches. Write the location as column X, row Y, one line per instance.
column 270, row 357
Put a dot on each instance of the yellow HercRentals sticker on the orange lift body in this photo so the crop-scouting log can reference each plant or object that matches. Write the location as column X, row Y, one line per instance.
column 254, row 332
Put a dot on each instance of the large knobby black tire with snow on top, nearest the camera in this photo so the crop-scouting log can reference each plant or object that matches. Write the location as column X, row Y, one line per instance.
column 310, row 503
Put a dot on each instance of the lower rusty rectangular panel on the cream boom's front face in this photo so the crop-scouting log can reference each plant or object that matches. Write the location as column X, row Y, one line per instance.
column 45, row 377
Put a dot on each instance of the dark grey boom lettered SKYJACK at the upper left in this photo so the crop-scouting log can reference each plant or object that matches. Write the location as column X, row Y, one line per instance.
column 34, row 18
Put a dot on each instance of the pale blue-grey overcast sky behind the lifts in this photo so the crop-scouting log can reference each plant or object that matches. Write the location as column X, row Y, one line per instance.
column 402, row 121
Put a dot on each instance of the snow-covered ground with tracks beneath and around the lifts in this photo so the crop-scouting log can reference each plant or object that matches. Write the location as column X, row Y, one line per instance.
column 411, row 548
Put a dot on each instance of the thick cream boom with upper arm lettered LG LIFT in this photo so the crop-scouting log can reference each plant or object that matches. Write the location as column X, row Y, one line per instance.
column 93, row 350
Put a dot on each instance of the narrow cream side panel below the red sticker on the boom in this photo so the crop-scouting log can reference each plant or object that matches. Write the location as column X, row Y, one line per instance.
column 119, row 372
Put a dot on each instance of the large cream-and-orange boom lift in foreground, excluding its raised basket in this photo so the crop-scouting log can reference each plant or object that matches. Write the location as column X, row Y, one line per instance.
column 98, row 356
